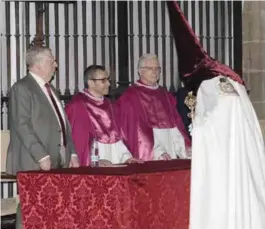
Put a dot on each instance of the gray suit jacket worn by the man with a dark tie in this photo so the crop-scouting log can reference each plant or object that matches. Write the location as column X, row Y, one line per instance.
column 34, row 129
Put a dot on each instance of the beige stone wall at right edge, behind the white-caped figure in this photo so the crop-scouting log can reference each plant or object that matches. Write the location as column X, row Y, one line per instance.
column 254, row 55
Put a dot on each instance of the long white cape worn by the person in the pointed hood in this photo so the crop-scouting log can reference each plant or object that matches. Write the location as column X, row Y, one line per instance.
column 228, row 160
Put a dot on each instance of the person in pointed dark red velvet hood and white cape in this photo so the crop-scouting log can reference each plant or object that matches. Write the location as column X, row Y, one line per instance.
column 228, row 156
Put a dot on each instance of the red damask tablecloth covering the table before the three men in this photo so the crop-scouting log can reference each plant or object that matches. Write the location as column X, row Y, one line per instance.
column 151, row 195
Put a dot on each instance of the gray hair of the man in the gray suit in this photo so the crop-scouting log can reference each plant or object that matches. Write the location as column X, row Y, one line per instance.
column 35, row 55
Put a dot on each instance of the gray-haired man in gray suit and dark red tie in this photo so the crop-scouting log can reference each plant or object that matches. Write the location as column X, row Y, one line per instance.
column 40, row 136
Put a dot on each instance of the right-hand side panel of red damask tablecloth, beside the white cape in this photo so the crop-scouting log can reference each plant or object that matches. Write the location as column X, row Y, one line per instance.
column 160, row 200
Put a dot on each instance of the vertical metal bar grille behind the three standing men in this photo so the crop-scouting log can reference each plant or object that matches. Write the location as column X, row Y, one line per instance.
column 87, row 32
